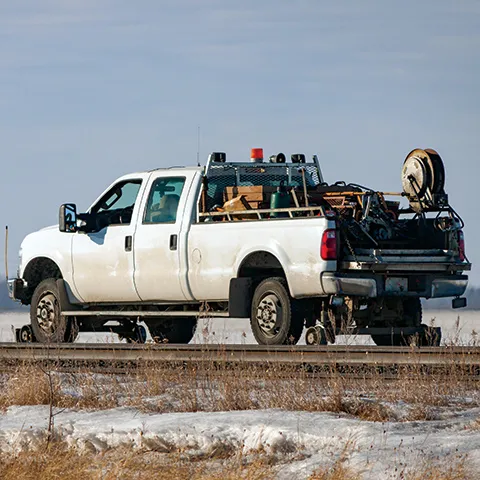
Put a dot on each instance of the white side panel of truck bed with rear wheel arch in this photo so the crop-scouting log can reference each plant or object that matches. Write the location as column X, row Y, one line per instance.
column 216, row 251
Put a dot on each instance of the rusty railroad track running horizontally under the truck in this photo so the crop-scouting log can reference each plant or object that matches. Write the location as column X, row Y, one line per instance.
column 118, row 356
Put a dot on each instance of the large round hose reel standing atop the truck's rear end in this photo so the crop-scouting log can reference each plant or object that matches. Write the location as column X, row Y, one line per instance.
column 423, row 179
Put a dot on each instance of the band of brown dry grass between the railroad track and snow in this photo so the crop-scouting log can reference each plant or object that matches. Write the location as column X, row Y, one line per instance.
column 215, row 386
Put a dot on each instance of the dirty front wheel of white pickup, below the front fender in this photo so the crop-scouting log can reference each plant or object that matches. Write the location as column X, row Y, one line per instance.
column 47, row 324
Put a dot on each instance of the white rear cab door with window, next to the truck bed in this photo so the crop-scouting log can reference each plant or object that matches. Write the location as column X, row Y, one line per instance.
column 160, row 238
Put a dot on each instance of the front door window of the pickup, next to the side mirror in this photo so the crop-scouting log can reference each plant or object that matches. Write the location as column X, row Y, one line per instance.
column 116, row 206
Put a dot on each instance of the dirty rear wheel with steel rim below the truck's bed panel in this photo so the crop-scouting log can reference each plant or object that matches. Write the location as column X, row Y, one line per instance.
column 275, row 319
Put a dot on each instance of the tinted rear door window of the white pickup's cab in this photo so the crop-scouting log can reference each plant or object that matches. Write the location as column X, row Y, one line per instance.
column 163, row 200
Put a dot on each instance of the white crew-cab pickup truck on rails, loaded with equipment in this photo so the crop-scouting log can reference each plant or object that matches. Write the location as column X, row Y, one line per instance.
column 269, row 241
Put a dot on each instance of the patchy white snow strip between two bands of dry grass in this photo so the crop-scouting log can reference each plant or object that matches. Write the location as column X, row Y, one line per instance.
column 301, row 440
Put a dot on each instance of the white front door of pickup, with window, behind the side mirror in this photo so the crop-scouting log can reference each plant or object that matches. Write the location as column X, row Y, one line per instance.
column 103, row 265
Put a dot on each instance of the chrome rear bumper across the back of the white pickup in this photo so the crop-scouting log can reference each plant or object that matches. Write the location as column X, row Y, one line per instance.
column 374, row 285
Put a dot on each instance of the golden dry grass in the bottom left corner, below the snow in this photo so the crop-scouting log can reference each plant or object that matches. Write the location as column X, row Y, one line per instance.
column 58, row 461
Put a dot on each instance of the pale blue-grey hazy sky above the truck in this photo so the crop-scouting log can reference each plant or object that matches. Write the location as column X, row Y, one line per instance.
column 93, row 89
